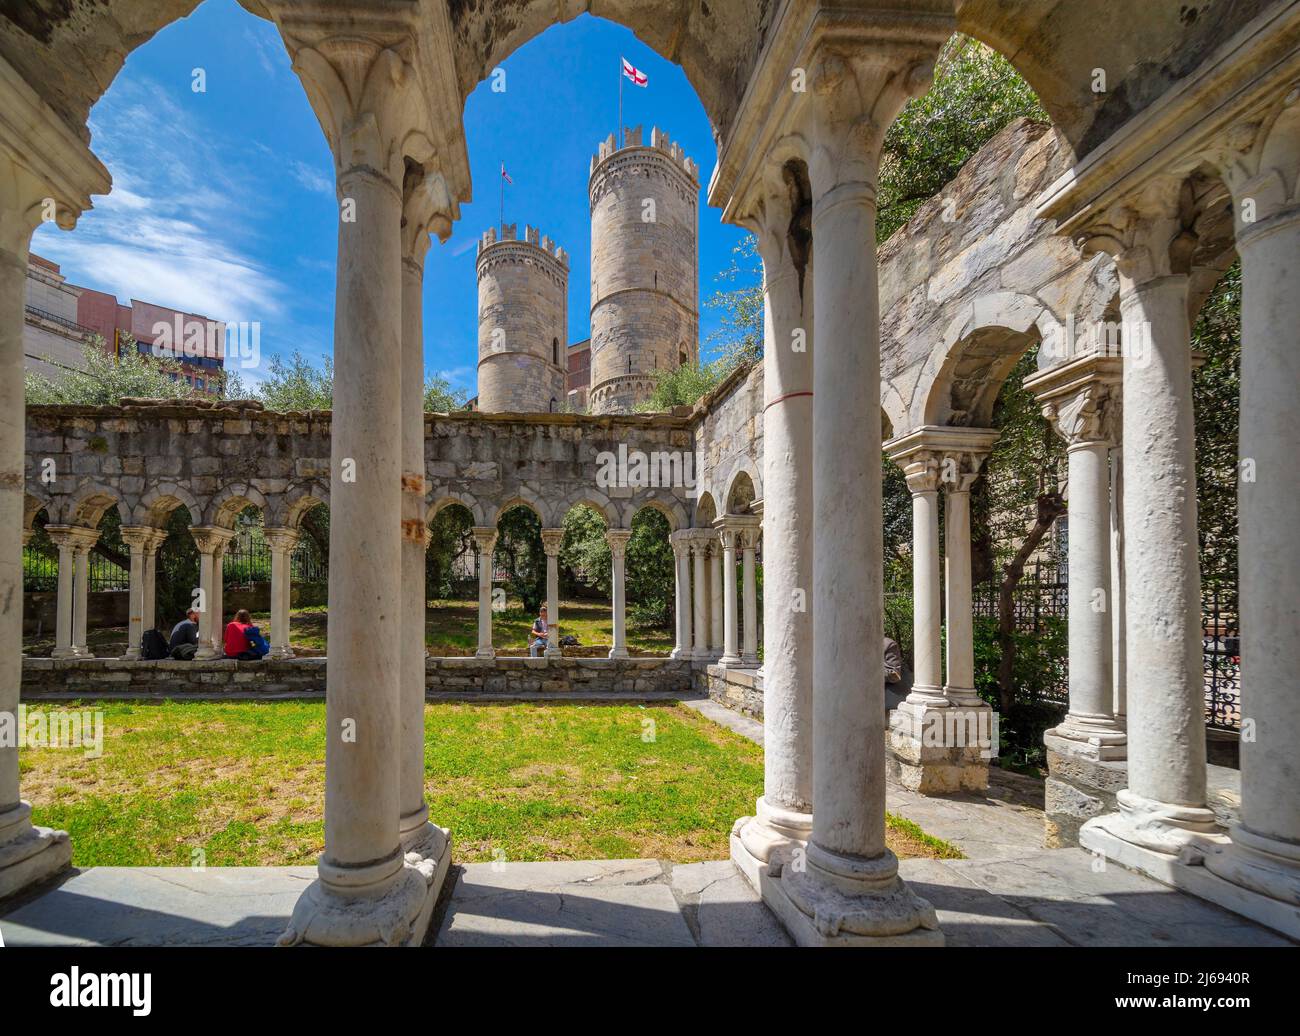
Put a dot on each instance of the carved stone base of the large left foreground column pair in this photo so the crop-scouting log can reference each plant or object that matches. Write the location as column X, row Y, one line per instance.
column 396, row 914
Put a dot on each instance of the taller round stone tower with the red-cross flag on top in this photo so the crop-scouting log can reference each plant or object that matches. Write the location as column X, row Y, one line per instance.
column 645, row 283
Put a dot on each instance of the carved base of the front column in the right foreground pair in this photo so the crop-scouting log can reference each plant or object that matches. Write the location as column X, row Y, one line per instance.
column 842, row 901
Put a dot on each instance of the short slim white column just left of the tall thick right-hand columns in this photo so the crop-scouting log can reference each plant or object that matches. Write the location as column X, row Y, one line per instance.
column 1090, row 631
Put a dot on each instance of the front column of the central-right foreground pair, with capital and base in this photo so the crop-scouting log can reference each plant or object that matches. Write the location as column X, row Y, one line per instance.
column 848, row 888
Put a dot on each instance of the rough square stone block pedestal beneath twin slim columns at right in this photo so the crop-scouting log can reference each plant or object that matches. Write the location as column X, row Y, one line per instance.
column 942, row 751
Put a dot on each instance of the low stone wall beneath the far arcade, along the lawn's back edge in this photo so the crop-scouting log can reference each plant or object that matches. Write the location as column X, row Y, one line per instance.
column 305, row 678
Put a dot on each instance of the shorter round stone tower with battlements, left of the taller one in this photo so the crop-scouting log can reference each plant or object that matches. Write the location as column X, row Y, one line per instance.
column 523, row 322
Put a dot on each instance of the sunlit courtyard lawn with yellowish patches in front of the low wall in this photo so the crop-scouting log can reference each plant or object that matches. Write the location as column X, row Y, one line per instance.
column 242, row 784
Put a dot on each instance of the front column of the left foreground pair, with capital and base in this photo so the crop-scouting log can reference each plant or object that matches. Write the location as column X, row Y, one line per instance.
column 372, row 105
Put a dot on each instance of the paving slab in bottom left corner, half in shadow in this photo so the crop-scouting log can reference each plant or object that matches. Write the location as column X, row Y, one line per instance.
column 162, row 907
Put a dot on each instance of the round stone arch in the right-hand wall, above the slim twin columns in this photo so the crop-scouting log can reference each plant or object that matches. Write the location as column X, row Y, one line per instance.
column 981, row 346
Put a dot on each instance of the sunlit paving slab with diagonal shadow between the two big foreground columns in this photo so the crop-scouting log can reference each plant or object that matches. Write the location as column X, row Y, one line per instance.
column 622, row 903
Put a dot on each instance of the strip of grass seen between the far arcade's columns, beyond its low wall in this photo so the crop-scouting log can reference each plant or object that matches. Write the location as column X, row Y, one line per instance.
column 452, row 628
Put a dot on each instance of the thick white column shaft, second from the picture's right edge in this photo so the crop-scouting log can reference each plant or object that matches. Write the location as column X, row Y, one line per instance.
column 1167, row 729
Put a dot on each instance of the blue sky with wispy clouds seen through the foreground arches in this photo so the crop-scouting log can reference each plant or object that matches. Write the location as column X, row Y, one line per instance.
column 224, row 201
